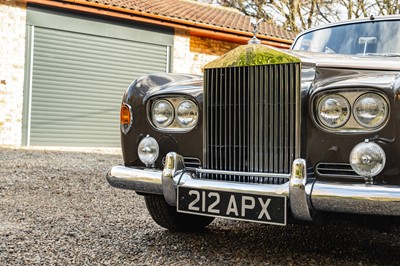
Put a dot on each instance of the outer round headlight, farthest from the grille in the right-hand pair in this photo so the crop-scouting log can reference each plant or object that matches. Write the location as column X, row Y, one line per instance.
column 370, row 110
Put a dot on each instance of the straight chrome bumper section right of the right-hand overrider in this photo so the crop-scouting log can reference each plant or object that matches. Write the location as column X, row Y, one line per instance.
column 356, row 198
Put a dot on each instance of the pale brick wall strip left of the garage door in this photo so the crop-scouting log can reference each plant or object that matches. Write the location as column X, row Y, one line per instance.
column 12, row 61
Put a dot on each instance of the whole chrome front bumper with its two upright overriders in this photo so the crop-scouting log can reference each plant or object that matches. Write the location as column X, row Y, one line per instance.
column 303, row 197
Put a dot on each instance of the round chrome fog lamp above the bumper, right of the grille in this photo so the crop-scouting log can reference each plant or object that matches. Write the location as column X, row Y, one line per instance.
column 367, row 159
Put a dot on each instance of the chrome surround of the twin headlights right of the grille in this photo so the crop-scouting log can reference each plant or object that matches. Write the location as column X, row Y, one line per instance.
column 353, row 96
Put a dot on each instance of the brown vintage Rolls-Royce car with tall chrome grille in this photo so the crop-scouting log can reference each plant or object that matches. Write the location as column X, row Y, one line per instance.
column 272, row 136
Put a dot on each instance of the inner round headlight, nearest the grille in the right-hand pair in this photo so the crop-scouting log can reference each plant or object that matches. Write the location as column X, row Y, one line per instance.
column 333, row 111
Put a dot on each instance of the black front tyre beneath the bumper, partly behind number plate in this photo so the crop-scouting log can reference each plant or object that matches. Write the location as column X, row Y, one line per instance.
column 166, row 216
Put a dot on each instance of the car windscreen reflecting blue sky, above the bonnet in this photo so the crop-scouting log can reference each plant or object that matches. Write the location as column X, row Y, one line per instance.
column 366, row 38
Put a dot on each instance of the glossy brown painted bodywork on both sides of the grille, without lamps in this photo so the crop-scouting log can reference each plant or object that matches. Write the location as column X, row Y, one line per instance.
column 317, row 145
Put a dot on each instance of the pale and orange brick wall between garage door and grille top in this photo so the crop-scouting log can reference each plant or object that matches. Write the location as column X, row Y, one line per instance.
column 191, row 53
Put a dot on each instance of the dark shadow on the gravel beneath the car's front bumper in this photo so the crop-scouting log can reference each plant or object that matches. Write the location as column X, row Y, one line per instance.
column 229, row 242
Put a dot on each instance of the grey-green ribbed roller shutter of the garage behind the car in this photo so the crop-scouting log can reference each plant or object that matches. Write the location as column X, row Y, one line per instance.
column 77, row 82
